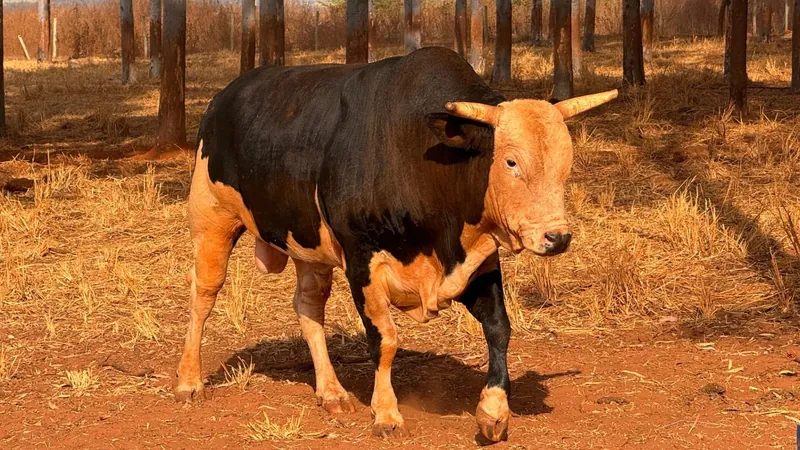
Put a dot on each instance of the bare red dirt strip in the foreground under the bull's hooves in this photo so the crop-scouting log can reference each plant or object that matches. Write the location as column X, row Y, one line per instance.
column 651, row 387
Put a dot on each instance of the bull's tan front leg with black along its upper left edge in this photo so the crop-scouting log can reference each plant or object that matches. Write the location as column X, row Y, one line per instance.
column 372, row 301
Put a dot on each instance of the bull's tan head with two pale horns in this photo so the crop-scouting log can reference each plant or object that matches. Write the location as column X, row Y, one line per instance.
column 532, row 160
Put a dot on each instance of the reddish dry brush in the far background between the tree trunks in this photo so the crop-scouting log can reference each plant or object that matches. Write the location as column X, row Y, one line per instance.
column 92, row 28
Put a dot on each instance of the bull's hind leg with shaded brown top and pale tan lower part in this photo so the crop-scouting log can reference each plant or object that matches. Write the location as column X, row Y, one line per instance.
column 312, row 292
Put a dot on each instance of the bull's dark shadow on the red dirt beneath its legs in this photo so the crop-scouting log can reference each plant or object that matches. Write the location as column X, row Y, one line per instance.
column 435, row 383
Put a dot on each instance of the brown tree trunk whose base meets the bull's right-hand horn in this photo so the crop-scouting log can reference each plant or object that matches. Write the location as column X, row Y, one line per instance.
column 562, row 49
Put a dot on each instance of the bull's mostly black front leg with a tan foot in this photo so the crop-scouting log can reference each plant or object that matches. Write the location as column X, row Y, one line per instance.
column 484, row 299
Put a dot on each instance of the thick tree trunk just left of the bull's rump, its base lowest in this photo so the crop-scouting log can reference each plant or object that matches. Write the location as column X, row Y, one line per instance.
column 171, row 106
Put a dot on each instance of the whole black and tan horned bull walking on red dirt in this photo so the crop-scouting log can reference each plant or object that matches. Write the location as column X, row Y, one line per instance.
column 408, row 174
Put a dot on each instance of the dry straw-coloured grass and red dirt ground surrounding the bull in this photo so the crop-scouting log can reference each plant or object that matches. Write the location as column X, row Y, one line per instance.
column 671, row 323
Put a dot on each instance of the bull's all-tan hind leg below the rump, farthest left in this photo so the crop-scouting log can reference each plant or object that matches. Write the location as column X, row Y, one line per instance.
column 214, row 233
